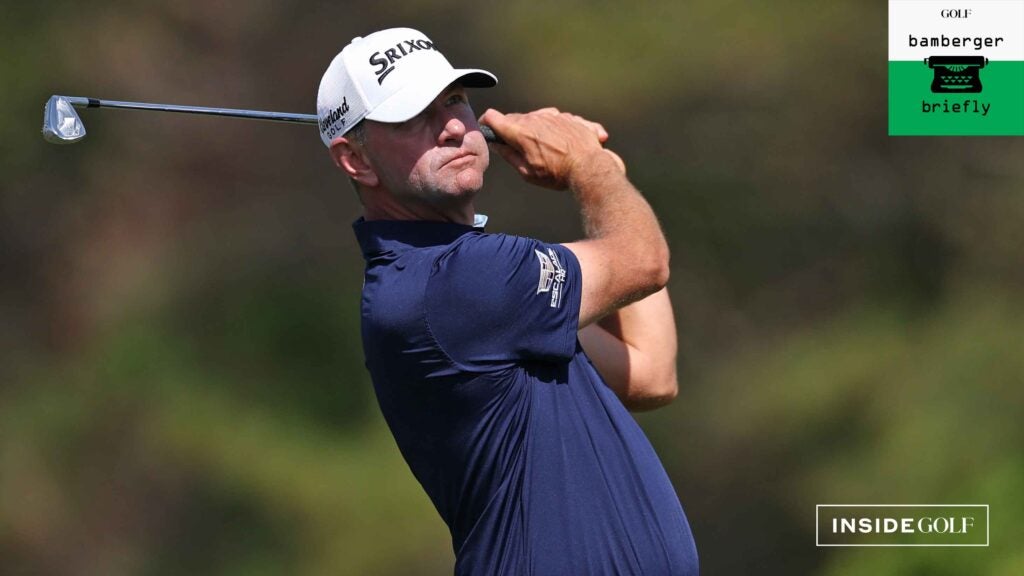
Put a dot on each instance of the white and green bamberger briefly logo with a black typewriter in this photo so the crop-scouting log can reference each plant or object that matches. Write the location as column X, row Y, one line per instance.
column 959, row 90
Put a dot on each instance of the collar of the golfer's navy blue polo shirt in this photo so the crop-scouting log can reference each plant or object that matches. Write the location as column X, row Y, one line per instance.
column 377, row 237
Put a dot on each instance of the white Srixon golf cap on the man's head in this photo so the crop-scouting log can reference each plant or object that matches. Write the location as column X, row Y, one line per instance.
column 390, row 76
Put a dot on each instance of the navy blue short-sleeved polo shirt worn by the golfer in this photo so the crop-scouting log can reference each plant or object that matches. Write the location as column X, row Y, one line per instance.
column 530, row 459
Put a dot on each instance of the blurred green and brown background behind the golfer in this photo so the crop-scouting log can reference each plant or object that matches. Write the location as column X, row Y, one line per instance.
column 182, row 381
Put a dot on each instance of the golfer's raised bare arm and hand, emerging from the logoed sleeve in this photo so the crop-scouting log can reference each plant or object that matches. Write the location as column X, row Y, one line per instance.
column 625, row 257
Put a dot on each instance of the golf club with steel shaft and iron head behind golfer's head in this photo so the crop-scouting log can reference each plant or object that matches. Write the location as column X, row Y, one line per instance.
column 63, row 126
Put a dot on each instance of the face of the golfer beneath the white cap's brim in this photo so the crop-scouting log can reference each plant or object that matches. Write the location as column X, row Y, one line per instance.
column 438, row 157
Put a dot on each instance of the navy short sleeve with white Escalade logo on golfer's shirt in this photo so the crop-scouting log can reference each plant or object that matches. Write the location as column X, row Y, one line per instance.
column 495, row 299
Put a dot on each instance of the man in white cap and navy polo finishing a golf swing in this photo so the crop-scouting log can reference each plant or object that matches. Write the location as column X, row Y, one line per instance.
column 504, row 365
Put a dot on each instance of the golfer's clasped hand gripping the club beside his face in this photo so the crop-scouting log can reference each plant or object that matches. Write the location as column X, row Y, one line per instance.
column 551, row 149
